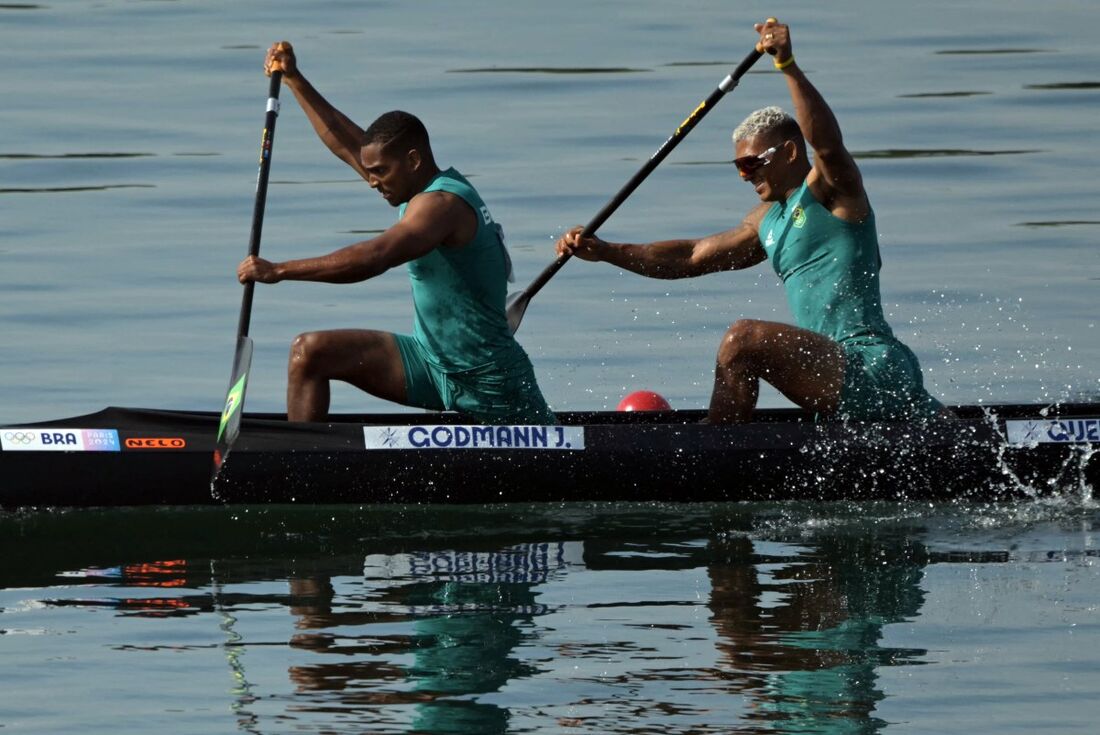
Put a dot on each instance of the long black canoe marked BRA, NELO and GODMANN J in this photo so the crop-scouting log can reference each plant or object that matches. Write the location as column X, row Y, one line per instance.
column 142, row 457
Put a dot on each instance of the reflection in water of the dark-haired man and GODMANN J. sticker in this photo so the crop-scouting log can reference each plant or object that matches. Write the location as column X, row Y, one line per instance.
column 457, row 616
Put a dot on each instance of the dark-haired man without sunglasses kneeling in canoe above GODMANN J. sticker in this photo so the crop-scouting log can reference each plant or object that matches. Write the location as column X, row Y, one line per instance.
column 461, row 355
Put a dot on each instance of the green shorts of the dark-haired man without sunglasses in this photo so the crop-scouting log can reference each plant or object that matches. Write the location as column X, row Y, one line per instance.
column 500, row 393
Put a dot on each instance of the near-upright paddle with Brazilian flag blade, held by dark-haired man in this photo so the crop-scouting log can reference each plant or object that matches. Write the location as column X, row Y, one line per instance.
column 230, row 425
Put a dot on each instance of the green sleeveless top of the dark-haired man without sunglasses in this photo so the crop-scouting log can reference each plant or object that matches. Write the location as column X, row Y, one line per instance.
column 459, row 293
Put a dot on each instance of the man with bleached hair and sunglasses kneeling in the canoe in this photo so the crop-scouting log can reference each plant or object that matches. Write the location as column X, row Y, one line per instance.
column 818, row 228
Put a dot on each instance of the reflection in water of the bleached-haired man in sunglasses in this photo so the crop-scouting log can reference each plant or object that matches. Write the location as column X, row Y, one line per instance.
column 809, row 660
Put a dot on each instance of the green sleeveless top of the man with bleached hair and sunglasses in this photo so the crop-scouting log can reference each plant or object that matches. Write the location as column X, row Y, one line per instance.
column 830, row 268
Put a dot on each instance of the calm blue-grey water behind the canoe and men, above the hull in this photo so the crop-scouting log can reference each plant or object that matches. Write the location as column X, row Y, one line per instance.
column 127, row 178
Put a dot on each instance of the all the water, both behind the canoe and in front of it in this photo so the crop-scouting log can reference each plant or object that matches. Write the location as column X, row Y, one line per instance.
column 127, row 180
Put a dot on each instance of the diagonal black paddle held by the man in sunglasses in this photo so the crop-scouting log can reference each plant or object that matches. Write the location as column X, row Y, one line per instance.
column 519, row 301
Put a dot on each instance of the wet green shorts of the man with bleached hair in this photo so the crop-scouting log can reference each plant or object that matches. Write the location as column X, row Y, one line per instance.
column 883, row 382
